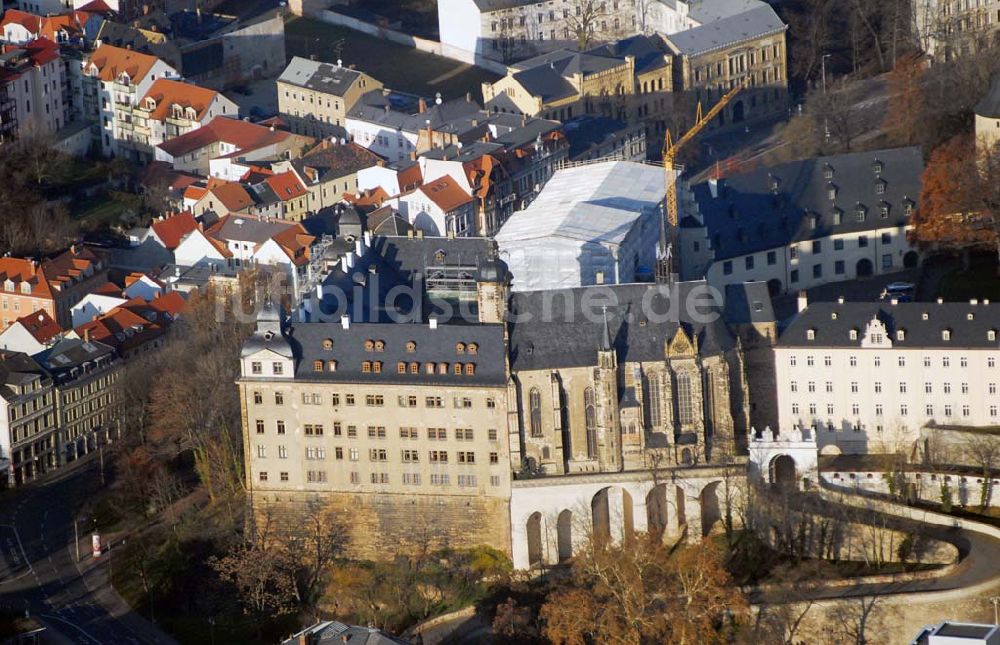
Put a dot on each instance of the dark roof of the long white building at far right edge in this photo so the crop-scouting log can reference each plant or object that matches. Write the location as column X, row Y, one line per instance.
column 834, row 331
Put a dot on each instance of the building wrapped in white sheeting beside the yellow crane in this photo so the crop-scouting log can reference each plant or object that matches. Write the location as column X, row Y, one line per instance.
column 591, row 224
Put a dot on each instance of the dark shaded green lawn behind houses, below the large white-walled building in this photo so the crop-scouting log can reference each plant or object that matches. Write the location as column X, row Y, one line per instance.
column 398, row 67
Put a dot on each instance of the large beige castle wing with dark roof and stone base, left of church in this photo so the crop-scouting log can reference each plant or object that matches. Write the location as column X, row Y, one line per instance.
column 402, row 427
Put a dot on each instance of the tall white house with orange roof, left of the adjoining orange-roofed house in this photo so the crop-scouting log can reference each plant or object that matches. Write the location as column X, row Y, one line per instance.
column 115, row 81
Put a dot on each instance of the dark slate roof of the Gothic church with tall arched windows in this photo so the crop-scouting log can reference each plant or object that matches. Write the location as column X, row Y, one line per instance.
column 563, row 328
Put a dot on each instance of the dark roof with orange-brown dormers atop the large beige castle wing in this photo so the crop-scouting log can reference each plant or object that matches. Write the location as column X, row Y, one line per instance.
column 433, row 345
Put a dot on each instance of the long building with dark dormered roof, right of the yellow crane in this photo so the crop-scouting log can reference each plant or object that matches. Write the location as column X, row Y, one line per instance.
column 804, row 223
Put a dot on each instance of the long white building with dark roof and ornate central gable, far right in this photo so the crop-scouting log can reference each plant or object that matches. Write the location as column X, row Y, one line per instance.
column 869, row 376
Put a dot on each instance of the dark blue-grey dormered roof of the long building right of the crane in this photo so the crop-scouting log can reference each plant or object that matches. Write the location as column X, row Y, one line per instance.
column 748, row 217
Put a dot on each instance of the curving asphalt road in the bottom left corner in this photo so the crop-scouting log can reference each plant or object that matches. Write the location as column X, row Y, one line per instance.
column 39, row 572
